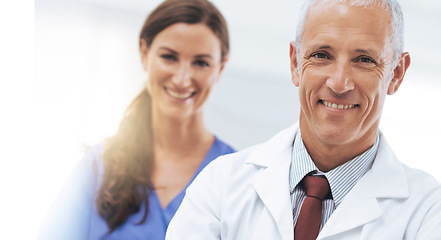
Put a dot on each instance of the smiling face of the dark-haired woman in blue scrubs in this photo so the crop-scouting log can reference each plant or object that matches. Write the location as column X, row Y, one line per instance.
column 183, row 63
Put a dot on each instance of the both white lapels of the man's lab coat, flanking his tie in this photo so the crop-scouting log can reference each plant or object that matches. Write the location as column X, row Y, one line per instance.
column 386, row 179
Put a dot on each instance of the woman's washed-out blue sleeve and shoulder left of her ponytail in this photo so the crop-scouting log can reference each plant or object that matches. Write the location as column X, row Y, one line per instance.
column 70, row 214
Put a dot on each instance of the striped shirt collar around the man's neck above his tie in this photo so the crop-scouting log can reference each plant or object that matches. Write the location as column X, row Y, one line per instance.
column 302, row 164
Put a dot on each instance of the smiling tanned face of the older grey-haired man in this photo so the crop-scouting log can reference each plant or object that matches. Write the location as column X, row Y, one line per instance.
column 343, row 73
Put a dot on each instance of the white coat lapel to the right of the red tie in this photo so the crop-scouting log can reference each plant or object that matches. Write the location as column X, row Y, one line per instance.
column 386, row 179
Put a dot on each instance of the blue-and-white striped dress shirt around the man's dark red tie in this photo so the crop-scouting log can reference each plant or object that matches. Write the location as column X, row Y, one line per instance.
column 341, row 179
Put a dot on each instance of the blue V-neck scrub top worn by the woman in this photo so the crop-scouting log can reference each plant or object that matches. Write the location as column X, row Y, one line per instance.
column 74, row 216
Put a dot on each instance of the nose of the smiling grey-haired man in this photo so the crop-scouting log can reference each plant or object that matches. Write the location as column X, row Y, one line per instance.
column 341, row 79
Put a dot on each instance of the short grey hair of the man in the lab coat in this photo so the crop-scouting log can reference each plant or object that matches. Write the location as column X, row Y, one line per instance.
column 391, row 6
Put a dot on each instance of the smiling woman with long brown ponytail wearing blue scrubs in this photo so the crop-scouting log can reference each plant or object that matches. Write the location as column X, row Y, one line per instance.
column 130, row 186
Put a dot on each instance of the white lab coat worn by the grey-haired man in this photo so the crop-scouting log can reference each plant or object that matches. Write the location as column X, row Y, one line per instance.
column 245, row 195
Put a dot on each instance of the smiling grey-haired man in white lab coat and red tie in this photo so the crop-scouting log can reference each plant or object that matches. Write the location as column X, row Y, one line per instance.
column 332, row 175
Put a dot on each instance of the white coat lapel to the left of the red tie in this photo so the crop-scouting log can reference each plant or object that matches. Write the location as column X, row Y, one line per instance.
column 272, row 183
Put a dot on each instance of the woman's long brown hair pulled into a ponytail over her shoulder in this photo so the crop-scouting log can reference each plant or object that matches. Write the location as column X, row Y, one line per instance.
column 128, row 155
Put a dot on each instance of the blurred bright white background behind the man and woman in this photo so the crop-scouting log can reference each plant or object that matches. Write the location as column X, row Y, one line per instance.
column 77, row 67
